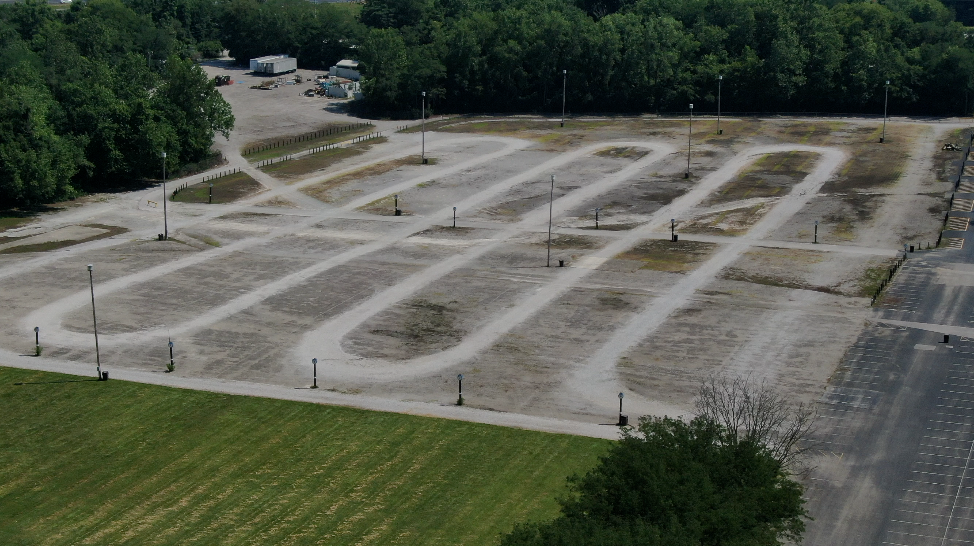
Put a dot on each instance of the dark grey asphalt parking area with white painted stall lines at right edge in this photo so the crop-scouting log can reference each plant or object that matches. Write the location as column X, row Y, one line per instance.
column 896, row 423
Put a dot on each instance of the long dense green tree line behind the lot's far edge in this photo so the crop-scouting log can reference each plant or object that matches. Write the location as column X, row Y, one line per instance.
column 661, row 55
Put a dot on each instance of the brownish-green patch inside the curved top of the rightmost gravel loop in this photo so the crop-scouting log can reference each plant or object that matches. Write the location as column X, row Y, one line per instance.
column 771, row 175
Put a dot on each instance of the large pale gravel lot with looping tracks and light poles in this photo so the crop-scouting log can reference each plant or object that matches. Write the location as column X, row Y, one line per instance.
column 394, row 307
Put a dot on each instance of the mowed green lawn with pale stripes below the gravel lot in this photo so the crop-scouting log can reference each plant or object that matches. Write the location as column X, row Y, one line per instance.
column 87, row 462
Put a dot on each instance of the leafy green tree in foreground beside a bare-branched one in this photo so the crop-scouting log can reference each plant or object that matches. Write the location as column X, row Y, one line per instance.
column 675, row 482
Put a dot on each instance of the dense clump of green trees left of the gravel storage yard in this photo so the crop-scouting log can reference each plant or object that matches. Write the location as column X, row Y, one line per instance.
column 91, row 96
